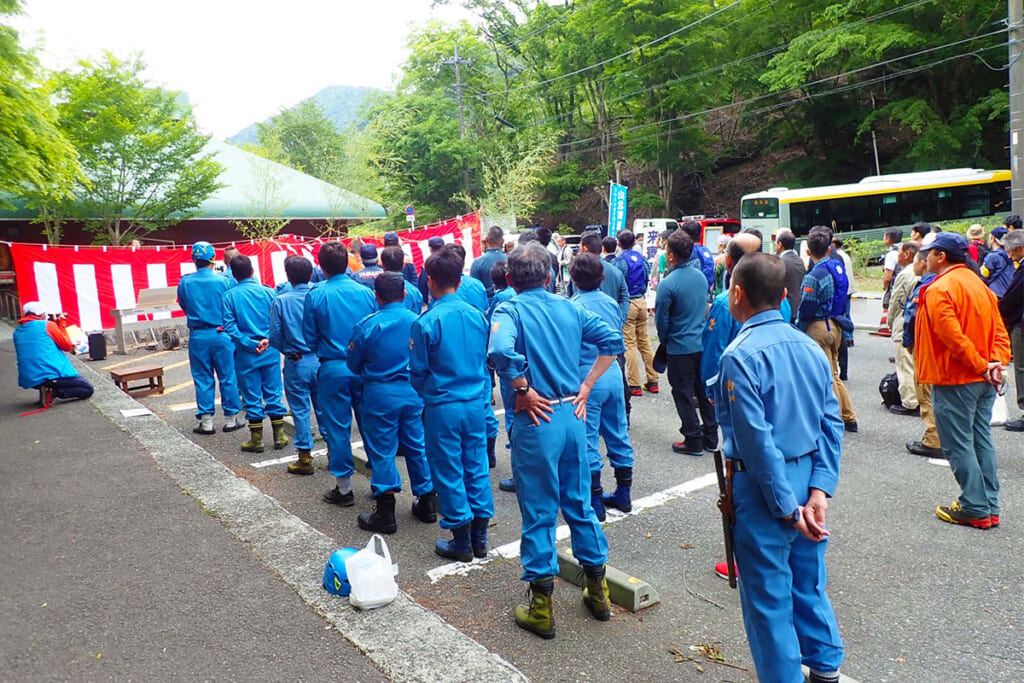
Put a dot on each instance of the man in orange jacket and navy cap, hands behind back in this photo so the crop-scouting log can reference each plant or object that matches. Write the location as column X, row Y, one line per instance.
column 962, row 350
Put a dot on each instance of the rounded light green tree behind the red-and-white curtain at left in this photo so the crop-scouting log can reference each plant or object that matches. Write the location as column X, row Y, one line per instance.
column 140, row 148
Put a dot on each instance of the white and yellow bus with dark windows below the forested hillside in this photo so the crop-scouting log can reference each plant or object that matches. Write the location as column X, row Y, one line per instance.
column 866, row 209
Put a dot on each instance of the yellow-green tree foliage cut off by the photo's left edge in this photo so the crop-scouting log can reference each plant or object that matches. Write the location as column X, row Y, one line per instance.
column 36, row 160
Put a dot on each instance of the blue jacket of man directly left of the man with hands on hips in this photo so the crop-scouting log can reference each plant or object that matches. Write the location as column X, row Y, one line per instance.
column 447, row 360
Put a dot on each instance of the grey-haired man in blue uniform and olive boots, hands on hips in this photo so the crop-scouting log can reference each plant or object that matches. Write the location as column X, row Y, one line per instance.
column 549, row 438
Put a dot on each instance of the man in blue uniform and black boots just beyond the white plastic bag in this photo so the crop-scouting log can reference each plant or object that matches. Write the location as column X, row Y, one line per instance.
column 379, row 354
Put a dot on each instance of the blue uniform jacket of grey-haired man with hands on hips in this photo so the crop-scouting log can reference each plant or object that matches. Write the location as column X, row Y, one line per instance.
column 539, row 335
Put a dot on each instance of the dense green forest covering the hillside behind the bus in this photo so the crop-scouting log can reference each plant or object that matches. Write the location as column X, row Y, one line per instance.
column 692, row 103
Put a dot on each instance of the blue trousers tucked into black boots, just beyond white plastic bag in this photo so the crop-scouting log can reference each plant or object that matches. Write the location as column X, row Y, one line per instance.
column 397, row 418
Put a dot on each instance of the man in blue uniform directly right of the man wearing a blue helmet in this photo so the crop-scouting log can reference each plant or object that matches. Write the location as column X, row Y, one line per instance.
column 247, row 322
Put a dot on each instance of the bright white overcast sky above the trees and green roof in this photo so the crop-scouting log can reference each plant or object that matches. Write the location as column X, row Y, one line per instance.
column 239, row 61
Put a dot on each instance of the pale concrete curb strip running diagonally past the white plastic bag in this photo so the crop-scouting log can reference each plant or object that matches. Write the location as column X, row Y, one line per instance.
column 407, row 642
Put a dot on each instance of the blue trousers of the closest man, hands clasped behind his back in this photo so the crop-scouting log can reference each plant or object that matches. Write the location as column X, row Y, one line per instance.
column 787, row 614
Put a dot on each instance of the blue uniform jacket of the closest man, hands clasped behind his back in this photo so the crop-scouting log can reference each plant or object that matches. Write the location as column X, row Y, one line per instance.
column 775, row 403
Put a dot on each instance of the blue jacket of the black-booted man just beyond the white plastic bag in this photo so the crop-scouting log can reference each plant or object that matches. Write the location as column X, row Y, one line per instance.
column 379, row 351
